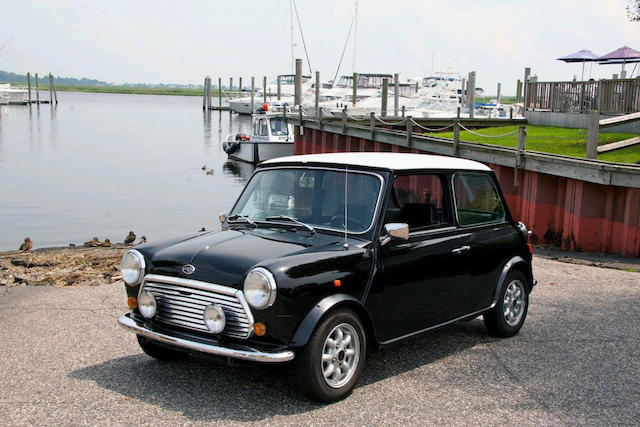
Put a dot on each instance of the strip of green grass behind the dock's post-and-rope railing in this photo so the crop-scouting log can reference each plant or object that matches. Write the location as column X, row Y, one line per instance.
column 568, row 142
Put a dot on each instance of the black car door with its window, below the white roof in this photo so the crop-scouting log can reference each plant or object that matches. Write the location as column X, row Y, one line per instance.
column 422, row 277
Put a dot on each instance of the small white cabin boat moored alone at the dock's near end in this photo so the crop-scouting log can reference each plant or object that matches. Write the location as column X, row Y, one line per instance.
column 271, row 136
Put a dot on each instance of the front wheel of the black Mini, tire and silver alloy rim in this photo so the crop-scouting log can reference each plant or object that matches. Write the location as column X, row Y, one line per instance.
column 329, row 366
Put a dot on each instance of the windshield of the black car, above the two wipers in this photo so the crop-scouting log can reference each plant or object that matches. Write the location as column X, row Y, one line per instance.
column 313, row 196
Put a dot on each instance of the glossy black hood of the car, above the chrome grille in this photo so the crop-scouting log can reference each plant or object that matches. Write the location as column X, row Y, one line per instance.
column 224, row 257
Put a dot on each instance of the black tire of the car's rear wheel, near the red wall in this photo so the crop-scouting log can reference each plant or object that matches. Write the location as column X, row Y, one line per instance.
column 496, row 321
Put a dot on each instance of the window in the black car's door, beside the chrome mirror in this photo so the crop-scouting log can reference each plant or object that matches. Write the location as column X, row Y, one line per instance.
column 420, row 201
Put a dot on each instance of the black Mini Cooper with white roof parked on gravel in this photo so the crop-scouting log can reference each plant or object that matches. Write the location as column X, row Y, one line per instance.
column 326, row 257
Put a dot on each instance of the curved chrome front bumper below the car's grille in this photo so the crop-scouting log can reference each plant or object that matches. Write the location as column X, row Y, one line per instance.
column 245, row 353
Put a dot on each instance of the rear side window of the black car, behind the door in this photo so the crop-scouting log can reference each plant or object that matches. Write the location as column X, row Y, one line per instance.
column 477, row 200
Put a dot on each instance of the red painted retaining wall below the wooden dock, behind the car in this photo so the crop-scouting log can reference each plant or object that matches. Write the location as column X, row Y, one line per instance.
column 571, row 214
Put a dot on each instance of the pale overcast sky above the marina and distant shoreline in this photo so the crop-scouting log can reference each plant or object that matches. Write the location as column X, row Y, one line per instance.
column 181, row 42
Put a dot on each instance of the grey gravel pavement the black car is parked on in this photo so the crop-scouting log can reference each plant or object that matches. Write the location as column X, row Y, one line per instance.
column 64, row 360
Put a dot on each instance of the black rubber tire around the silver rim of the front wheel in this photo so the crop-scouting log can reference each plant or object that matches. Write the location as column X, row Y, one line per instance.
column 309, row 363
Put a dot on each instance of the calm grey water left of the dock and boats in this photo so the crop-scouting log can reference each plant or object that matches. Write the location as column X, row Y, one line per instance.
column 104, row 164
